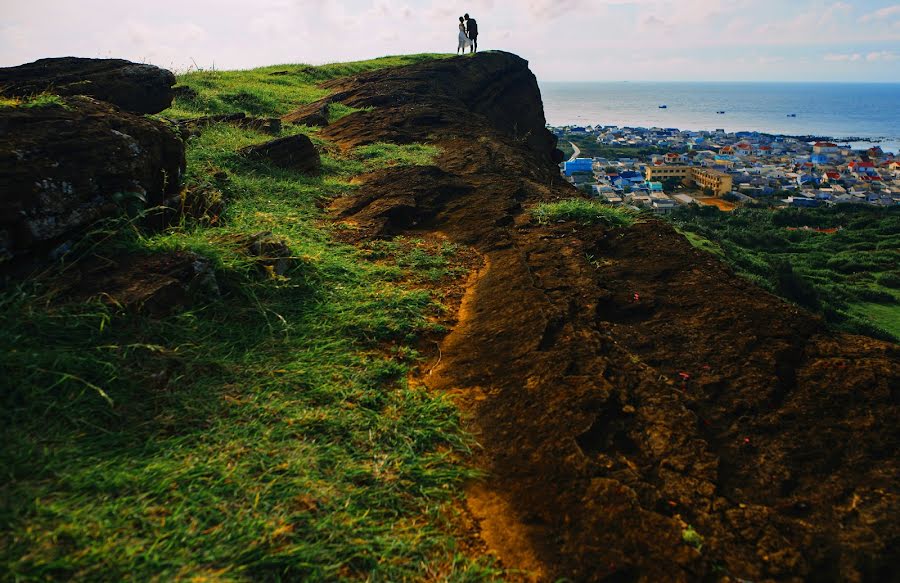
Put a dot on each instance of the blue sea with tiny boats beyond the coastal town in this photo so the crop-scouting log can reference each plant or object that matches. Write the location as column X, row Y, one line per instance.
column 870, row 111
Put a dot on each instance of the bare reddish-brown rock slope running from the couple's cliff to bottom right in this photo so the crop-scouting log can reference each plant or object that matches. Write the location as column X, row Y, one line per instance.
column 609, row 423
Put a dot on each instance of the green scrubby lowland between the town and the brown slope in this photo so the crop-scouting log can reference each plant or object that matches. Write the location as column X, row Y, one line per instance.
column 850, row 276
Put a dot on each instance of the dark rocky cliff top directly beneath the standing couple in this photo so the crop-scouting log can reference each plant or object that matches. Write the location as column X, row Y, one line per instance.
column 495, row 92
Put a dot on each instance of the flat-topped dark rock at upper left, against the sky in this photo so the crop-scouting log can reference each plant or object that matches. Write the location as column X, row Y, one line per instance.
column 132, row 86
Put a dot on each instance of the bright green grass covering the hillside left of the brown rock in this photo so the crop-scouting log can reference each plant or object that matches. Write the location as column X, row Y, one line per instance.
column 268, row 432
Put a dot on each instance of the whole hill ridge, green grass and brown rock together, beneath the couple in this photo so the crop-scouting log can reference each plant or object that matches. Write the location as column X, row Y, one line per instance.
column 631, row 425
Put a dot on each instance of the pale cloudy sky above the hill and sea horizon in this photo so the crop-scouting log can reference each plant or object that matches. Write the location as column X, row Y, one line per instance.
column 564, row 40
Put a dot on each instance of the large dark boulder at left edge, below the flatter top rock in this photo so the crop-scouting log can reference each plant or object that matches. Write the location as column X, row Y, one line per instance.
column 62, row 168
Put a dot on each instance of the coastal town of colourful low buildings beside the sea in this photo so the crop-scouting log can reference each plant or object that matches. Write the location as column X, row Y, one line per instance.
column 661, row 168
